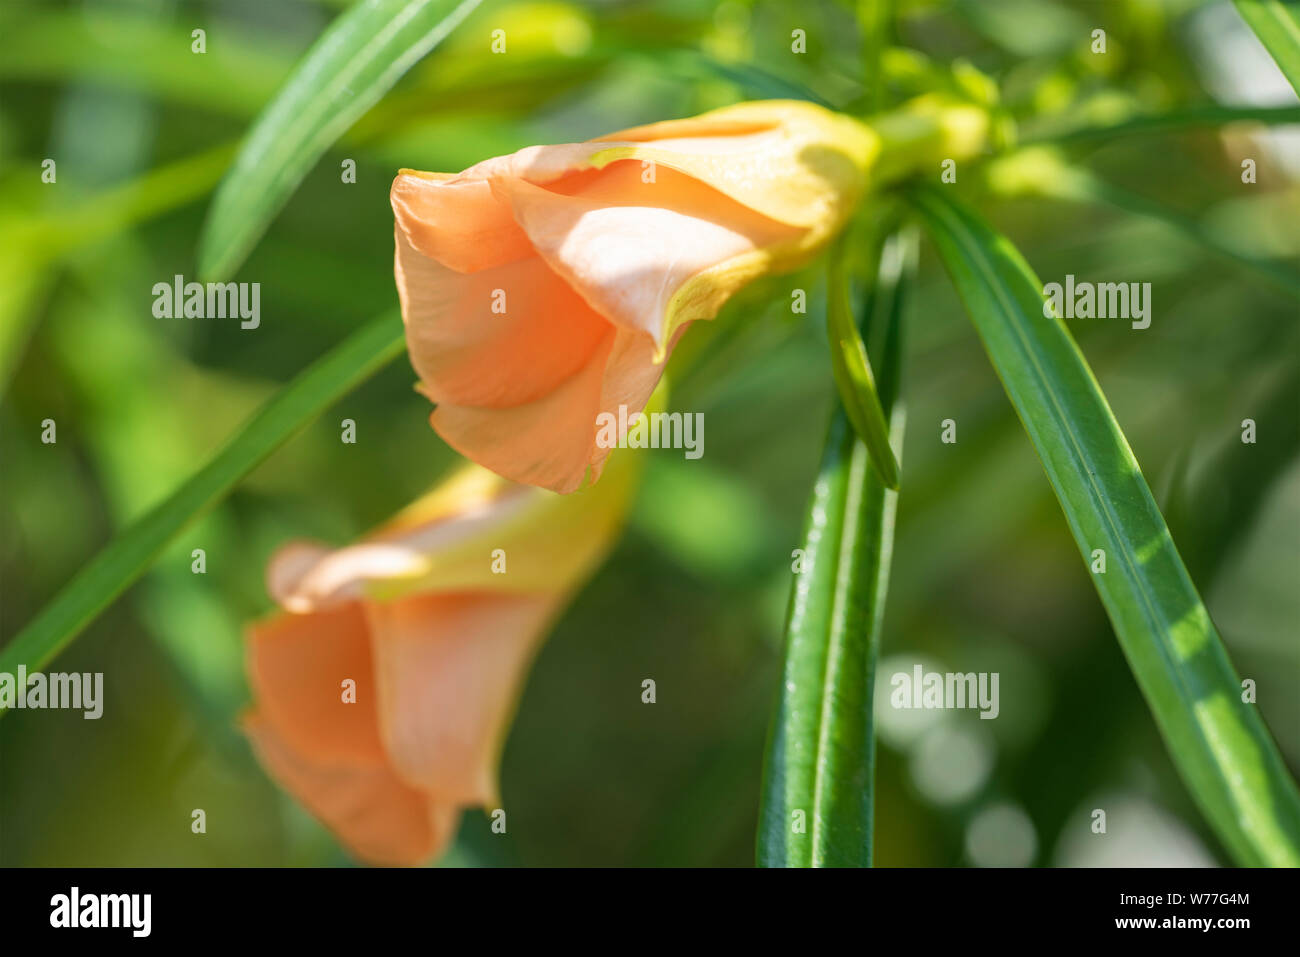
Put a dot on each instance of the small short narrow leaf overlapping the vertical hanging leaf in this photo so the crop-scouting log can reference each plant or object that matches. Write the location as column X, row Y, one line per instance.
column 853, row 376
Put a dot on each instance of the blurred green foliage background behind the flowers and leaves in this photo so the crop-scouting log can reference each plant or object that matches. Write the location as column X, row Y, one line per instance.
column 986, row 575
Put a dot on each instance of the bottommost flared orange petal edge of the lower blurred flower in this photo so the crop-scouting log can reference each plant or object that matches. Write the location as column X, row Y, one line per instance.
column 378, row 817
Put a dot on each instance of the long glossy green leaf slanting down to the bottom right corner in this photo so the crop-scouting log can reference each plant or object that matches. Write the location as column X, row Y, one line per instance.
column 1221, row 746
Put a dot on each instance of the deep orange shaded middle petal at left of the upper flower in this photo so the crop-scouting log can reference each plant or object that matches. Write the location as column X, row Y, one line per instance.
column 470, row 354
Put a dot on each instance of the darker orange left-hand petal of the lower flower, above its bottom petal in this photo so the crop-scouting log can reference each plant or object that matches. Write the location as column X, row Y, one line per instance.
column 297, row 668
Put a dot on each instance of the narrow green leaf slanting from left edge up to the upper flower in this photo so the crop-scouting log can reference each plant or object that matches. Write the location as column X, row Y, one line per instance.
column 129, row 556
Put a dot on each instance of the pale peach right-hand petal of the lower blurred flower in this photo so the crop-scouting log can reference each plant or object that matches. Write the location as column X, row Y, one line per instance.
column 449, row 670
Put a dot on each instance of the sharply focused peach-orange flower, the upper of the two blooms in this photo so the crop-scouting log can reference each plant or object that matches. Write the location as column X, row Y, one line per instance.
column 548, row 287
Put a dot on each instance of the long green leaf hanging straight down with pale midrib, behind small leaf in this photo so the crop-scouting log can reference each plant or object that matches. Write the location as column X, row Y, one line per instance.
column 821, row 755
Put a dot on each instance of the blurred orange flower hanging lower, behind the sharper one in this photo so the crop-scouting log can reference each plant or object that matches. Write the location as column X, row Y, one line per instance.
column 385, row 688
